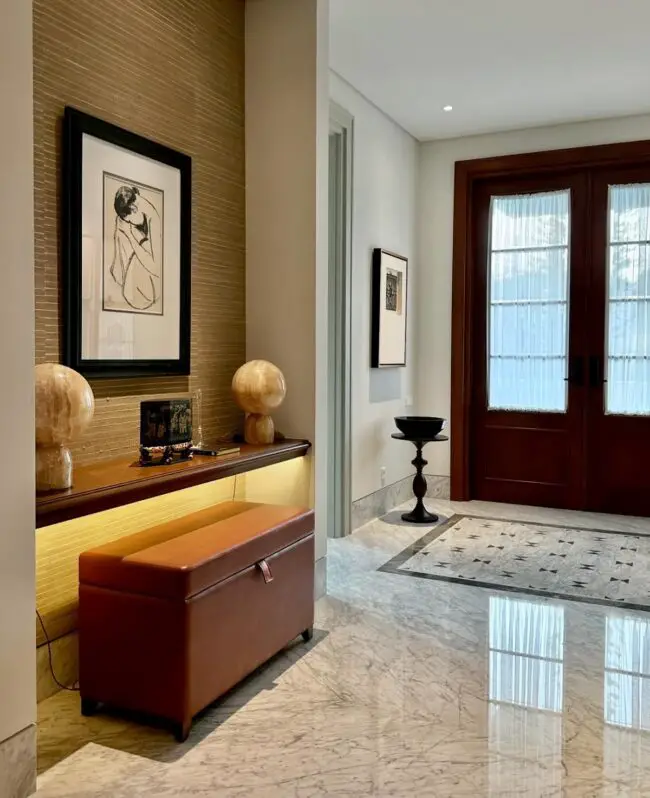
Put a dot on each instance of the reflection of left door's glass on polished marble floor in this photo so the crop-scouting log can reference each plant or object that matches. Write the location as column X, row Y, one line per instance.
column 526, row 679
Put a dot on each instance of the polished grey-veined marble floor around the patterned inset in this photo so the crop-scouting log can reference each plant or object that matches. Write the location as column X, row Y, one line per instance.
column 411, row 687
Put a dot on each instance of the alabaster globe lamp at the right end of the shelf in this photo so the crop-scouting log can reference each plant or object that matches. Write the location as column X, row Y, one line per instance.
column 259, row 387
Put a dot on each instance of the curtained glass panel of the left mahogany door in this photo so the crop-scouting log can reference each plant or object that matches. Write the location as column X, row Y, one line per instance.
column 528, row 302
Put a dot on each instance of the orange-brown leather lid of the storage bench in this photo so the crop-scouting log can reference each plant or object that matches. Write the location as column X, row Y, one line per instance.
column 180, row 559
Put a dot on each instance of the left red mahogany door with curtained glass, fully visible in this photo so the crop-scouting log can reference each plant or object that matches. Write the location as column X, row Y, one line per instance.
column 529, row 377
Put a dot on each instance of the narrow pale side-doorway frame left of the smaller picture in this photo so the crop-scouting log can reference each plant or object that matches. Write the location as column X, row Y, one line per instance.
column 341, row 127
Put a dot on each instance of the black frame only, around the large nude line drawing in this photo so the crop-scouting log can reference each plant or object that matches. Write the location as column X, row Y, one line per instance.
column 76, row 125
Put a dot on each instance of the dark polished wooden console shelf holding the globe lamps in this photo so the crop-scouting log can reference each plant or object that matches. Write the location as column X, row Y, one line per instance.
column 117, row 482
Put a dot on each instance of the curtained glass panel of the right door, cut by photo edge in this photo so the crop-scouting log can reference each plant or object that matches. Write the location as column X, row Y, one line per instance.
column 628, row 339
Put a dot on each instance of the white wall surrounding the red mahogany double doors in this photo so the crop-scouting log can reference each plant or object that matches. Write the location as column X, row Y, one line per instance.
column 436, row 198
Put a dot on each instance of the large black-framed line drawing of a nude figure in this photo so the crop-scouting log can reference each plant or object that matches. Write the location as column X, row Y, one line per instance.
column 126, row 251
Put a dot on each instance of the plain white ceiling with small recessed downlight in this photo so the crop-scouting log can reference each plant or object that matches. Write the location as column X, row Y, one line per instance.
column 502, row 64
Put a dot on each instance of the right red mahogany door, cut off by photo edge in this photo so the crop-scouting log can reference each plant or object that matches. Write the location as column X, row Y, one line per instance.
column 618, row 418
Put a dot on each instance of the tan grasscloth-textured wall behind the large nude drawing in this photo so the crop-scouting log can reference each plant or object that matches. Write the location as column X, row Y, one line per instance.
column 171, row 70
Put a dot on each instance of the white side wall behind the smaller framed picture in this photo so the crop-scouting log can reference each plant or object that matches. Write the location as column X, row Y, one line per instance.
column 384, row 215
